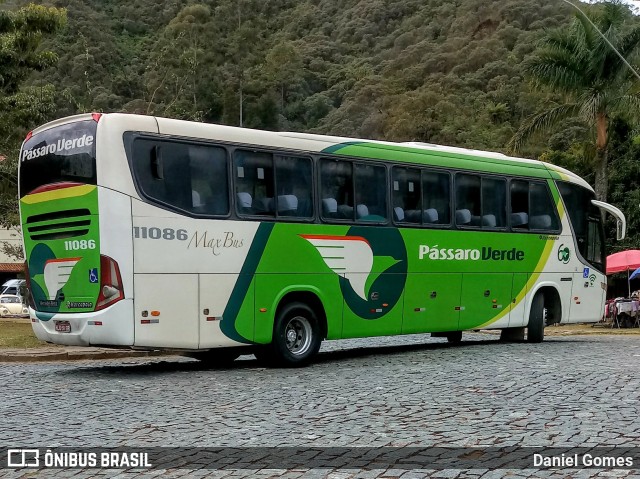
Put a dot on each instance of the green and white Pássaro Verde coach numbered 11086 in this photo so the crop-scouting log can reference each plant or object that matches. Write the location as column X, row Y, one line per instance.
column 154, row 233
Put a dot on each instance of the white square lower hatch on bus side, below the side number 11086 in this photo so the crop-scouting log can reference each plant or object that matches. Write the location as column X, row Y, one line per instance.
column 166, row 310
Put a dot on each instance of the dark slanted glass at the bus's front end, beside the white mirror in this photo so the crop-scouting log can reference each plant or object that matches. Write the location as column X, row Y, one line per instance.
column 586, row 220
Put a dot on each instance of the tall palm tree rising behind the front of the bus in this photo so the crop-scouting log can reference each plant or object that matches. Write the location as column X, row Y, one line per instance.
column 594, row 82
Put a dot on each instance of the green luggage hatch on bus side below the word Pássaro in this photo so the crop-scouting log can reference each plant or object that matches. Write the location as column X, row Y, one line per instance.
column 431, row 302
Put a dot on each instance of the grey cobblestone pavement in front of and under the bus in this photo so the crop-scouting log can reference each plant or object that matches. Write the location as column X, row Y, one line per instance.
column 399, row 391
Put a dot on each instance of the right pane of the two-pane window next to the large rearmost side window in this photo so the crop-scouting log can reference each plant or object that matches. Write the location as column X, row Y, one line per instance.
column 294, row 184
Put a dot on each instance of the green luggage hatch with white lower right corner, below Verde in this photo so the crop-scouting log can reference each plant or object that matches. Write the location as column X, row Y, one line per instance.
column 485, row 296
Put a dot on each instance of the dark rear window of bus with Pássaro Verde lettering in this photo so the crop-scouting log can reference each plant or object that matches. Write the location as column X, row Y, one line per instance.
column 64, row 153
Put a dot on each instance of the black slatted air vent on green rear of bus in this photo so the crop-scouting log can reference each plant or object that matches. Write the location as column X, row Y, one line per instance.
column 59, row 224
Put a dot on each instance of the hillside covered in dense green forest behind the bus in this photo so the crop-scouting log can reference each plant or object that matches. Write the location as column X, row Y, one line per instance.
column 439, row 71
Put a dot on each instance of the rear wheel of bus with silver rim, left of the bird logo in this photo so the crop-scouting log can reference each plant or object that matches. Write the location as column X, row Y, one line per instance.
column 296, row 337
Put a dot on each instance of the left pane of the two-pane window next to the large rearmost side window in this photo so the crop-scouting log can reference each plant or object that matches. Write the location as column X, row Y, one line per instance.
column 254, row 180
